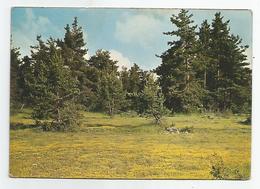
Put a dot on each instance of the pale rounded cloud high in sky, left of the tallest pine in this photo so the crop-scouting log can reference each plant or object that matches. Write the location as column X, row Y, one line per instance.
column 143, row 29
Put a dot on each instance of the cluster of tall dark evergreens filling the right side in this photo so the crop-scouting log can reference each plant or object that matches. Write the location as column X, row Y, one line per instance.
column 205, row 70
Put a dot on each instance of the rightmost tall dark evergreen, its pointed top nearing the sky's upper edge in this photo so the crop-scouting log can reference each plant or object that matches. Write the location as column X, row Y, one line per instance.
column 228, row 65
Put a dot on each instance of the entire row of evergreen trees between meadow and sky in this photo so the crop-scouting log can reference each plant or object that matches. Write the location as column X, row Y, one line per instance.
column 204, row 69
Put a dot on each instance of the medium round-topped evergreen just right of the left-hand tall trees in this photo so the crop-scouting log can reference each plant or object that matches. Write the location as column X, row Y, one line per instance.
column 107, row 84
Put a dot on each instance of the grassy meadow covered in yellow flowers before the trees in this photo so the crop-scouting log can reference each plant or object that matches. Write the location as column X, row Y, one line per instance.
column 130, row 147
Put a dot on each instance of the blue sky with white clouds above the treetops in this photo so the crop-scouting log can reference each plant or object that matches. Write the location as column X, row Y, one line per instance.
column 131, row 35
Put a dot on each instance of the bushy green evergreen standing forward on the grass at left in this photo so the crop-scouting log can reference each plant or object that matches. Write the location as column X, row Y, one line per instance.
column 53, row 89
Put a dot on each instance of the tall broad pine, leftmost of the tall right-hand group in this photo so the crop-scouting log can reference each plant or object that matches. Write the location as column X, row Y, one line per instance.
column 176, row 73
